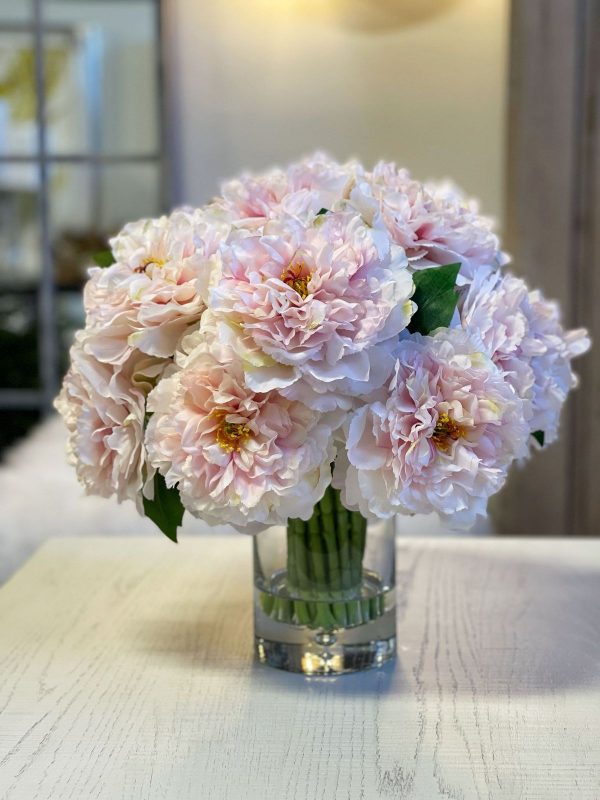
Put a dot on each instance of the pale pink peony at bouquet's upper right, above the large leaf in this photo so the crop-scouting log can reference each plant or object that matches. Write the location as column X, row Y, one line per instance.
column 436, row 225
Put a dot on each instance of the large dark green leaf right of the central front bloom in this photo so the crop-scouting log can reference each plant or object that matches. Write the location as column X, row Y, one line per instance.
column 436, row 298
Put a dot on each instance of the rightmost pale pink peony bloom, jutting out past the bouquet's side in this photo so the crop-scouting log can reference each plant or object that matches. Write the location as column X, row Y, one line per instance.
column 522, row 333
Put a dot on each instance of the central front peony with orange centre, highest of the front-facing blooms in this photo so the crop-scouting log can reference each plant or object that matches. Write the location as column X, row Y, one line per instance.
column 312, row 303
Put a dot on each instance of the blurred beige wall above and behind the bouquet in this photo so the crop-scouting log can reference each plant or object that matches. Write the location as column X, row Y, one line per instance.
column 268, row 80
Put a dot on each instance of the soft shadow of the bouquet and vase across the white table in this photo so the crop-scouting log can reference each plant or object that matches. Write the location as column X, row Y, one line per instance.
column 467, row 622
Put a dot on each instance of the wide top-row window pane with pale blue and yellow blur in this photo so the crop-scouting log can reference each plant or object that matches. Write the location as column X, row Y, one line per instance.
column 104, row 95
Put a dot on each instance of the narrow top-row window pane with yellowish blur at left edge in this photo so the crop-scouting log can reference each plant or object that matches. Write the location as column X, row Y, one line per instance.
column 18, row 134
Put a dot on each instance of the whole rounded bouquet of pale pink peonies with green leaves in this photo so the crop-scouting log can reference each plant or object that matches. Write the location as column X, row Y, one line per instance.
column 315, row 326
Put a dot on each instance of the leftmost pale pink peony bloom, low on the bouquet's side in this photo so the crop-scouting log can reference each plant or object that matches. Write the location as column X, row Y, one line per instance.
column 104, row 413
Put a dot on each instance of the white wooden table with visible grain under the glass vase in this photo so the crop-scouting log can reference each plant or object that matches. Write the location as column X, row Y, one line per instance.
column 126, row 671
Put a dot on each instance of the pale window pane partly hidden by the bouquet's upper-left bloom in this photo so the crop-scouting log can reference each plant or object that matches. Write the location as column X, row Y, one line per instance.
column 89, row 204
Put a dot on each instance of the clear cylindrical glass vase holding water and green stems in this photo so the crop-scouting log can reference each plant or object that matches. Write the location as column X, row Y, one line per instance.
column 324, row 592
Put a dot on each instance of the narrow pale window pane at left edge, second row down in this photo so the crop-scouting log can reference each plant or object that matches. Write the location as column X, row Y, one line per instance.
column 19, row 226
